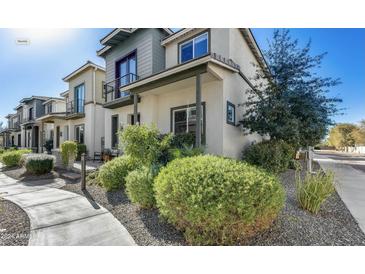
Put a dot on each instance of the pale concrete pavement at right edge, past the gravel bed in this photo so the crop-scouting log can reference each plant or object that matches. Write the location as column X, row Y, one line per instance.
column 350, row 181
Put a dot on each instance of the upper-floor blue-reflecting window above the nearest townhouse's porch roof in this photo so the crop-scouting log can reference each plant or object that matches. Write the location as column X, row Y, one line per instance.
column 194, row 48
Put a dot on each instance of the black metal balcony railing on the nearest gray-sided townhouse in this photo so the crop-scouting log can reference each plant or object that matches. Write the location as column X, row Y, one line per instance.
column 112, row 89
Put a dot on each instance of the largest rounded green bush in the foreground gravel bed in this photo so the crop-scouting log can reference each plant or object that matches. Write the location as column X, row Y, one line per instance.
column 216, row 200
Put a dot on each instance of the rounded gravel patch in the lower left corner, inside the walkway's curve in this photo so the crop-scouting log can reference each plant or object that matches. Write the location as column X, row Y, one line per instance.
column 14, row 225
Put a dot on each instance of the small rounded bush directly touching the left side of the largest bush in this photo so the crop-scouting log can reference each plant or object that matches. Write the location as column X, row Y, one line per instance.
column 139, row 187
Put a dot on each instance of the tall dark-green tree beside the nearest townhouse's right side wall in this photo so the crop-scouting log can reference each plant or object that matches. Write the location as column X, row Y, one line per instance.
column 289, row 101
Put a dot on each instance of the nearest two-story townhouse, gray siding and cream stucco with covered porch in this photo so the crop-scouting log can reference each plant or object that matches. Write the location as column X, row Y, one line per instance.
column 154, row 76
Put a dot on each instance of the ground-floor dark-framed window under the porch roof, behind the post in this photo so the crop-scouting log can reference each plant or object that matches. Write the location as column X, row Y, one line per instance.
column 184, row 119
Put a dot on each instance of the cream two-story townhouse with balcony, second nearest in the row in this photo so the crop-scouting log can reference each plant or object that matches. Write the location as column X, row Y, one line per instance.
column 79, row 116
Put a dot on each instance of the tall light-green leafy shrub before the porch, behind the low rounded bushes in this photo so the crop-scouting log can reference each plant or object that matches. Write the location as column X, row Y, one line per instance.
column 143, row 143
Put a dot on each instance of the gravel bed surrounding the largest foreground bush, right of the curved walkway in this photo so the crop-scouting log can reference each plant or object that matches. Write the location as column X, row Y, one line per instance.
column 334, row 224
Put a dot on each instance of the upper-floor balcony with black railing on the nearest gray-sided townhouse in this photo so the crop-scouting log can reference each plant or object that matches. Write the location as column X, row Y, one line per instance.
column 113, row 95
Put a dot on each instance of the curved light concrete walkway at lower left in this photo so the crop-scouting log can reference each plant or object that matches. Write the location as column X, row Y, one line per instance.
column 59, row 217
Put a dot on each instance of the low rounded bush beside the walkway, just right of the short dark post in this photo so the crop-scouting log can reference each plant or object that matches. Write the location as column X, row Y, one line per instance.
column 112, row 174
